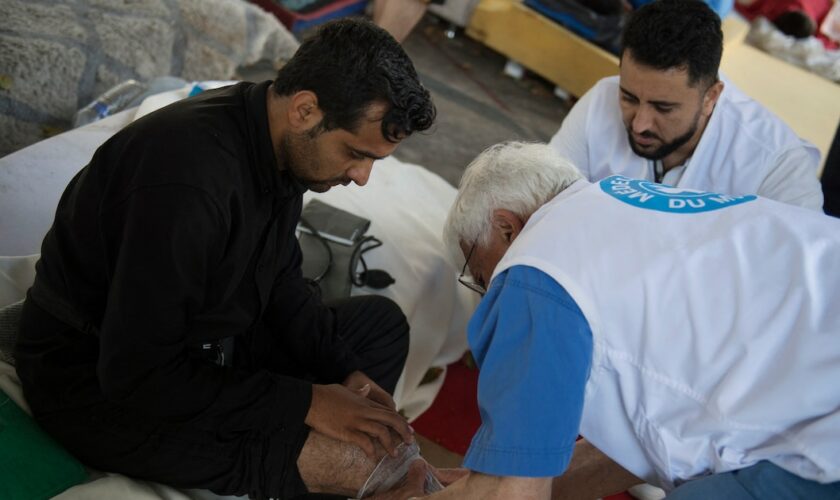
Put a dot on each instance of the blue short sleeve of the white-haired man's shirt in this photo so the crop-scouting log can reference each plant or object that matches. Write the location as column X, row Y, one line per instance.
column 533, row 347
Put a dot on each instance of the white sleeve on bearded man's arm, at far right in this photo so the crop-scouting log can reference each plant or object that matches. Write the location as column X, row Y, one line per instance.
column 793, row 180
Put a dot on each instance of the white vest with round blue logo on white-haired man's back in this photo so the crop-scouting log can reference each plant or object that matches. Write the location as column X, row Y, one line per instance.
column 715, row 321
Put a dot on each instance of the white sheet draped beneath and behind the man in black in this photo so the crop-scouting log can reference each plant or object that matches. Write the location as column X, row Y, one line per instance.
column 406, row 203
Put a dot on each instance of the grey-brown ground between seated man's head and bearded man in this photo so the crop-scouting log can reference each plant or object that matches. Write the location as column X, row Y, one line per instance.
column 478, row 105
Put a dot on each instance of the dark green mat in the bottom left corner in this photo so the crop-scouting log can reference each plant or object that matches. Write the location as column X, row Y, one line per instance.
column 32, row 465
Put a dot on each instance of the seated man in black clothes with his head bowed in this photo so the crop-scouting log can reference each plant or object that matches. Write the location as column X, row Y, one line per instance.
column 170, row 335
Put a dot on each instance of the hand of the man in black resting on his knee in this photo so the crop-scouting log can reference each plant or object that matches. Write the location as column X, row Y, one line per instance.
column 350, row 416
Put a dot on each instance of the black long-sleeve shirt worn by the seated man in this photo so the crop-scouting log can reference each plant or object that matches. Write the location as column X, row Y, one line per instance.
column 180, row 231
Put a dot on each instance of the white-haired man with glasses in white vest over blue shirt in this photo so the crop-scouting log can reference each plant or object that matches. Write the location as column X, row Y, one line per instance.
column 692, row 338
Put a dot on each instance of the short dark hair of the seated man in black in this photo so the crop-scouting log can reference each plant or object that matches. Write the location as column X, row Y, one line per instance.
column 352, row 63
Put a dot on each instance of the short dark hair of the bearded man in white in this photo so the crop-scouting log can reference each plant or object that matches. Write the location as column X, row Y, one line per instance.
column 667, row 34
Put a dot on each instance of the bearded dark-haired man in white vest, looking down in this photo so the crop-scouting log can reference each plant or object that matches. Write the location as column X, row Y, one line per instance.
column 669, row 118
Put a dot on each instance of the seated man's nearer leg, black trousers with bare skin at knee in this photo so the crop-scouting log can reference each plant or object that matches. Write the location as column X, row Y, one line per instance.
column 282, row 464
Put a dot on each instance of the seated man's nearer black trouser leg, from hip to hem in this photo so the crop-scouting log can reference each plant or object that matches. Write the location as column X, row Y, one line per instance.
column 62, row 389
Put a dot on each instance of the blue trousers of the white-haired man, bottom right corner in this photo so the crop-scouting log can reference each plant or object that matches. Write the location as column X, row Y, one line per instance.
column 762, row 480
